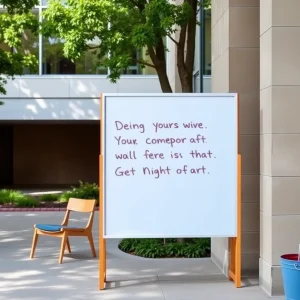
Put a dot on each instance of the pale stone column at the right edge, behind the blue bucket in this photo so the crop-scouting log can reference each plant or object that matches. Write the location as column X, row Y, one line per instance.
column 280, row 137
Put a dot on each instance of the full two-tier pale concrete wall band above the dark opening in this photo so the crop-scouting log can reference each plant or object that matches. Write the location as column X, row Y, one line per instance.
column 66, row 97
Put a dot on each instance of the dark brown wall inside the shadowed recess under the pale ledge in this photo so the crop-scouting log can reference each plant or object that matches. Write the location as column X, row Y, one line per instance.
column 56, row 154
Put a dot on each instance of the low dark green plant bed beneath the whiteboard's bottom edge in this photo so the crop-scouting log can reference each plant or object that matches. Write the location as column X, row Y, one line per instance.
column 156, row 248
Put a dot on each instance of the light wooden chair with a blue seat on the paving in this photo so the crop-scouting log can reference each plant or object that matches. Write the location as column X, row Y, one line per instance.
column 64, row 231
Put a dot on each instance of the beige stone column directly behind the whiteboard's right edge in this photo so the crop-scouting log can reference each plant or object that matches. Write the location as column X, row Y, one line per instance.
column 235, row 68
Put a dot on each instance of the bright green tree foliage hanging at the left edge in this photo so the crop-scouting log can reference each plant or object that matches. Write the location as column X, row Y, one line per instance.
column 16, row 18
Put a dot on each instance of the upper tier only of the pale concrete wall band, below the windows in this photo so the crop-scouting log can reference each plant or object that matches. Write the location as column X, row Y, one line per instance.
column 77, row 86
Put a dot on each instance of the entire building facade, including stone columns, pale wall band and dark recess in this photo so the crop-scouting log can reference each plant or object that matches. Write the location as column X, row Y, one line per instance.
column 49, row 125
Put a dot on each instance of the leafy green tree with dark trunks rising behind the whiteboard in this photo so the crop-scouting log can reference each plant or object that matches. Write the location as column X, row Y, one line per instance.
column 123, row 25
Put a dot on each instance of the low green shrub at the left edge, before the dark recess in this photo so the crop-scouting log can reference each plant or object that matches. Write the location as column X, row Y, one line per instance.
column 17, row 198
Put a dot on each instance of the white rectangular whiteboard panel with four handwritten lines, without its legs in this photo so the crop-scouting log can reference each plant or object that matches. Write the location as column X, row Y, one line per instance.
column 170, row 165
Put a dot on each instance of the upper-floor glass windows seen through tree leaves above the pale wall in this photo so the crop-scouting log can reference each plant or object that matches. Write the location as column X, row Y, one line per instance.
column 49, row 52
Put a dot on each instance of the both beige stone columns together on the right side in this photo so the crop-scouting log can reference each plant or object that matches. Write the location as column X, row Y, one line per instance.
column 255, row 52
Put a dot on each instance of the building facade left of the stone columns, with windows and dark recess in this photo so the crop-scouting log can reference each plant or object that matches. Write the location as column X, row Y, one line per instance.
column 49, row 123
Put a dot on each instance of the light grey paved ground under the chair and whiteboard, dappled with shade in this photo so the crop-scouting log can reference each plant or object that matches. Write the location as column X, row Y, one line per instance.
column 129, row 277
